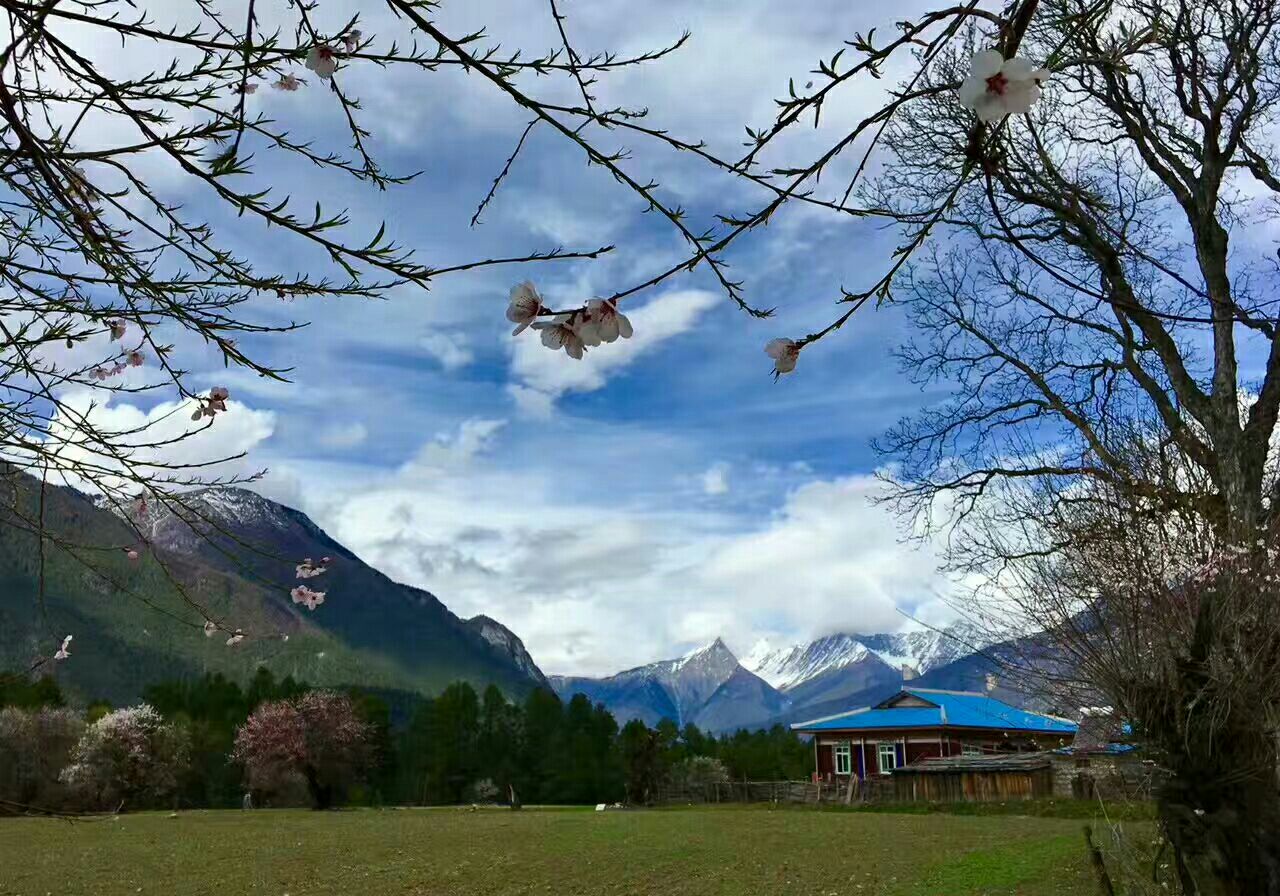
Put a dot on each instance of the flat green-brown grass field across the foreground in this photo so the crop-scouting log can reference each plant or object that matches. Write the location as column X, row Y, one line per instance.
column 732, row 852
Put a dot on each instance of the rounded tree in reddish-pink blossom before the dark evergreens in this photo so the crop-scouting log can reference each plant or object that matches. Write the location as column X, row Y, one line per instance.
column 318, row 738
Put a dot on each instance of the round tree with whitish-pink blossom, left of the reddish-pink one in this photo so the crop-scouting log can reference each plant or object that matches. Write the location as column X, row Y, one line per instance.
column 130, row 758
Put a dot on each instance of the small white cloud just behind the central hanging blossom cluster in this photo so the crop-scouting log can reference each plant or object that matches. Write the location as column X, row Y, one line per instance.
column 555, row 374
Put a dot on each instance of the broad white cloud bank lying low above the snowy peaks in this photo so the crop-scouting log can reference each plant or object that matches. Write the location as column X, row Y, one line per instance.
column 595, row 584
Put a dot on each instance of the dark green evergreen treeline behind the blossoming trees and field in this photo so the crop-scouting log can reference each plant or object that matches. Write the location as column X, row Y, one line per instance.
column 460, row 747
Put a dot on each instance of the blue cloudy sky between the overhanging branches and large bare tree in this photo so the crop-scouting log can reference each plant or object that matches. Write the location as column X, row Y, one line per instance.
column 662, row 492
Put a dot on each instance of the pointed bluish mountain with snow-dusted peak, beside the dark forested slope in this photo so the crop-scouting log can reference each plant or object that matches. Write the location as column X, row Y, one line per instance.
column 707, row 687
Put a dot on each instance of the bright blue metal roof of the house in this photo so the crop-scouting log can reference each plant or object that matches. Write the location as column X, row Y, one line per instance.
column 952, row 710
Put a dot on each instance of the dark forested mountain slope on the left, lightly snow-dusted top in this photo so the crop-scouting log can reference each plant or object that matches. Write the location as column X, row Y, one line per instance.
column 232, row 552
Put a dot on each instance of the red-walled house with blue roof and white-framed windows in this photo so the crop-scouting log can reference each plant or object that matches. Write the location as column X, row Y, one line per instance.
column 918, row 723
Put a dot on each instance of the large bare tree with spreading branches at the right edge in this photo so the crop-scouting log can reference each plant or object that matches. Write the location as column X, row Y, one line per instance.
column 1103, row 290
